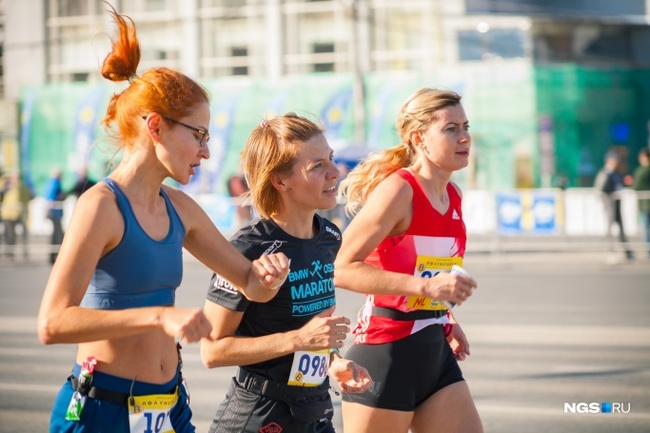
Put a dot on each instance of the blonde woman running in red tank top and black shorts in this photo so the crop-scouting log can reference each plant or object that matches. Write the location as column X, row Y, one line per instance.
column 406, row 235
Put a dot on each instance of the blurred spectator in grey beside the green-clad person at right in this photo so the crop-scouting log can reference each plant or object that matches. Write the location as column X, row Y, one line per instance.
column 609, row 181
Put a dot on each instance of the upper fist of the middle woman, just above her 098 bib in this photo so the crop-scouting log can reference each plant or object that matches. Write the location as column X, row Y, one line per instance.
column 323, row 331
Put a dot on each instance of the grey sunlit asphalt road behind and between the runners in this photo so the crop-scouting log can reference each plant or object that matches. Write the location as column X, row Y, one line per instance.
column 547, row 331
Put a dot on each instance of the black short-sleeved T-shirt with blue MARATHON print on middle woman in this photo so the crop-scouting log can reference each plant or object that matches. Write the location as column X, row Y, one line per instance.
column 308, row 290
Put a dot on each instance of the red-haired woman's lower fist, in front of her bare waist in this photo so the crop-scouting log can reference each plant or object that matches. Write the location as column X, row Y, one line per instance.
column 188, row 325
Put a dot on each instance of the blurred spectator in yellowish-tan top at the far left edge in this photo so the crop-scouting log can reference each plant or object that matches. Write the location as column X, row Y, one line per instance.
column 13, row 212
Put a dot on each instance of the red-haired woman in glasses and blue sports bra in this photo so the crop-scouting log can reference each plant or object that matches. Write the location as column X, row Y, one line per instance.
column 112, row 288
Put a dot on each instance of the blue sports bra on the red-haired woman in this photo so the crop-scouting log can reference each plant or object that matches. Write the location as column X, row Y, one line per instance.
column 139, row 271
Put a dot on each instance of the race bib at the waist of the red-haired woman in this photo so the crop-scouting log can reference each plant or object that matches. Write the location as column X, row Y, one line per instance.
column 150, row 413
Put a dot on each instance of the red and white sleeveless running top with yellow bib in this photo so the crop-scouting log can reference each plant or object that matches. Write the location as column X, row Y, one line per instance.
column 433, row 243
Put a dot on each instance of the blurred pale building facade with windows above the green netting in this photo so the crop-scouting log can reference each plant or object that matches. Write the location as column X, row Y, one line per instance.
column 272, row 38
